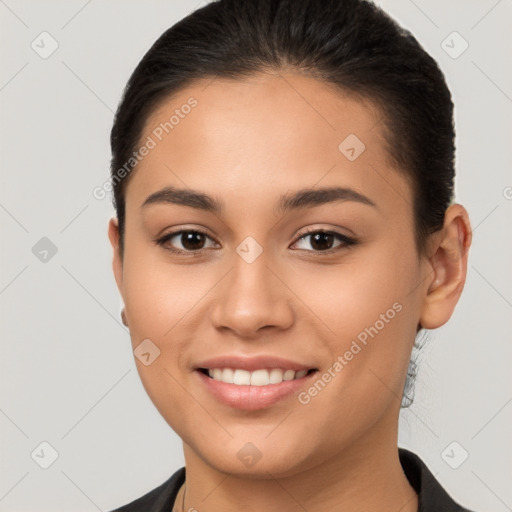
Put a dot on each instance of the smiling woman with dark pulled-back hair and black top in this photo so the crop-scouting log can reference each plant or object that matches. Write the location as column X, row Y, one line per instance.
column 283, row 180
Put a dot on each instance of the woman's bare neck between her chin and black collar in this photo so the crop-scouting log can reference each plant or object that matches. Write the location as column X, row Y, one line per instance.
column 367, row 475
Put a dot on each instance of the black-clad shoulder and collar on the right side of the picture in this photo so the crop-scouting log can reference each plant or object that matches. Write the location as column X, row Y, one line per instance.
column 432, row 497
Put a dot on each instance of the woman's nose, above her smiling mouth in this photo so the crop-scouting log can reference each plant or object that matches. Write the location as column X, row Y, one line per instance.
column 253, row 297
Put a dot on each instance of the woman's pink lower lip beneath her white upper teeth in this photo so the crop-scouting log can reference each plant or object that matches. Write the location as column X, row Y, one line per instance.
column 252, row 398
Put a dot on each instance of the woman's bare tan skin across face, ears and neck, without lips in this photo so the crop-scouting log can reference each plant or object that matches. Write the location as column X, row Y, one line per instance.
column 246, row 143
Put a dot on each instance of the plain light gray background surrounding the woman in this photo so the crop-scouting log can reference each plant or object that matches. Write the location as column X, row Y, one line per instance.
column 68, row 376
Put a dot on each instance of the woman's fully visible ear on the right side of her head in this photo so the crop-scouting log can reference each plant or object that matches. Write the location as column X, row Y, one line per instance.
column 448, row 267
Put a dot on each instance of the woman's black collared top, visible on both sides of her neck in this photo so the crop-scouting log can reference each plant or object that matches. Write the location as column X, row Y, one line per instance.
column 431, row 496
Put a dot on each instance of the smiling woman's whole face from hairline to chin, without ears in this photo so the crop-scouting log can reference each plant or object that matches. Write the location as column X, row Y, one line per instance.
column 278, row 276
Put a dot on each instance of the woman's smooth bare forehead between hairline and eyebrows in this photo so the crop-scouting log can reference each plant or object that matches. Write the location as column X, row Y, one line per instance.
column 267, row 132
